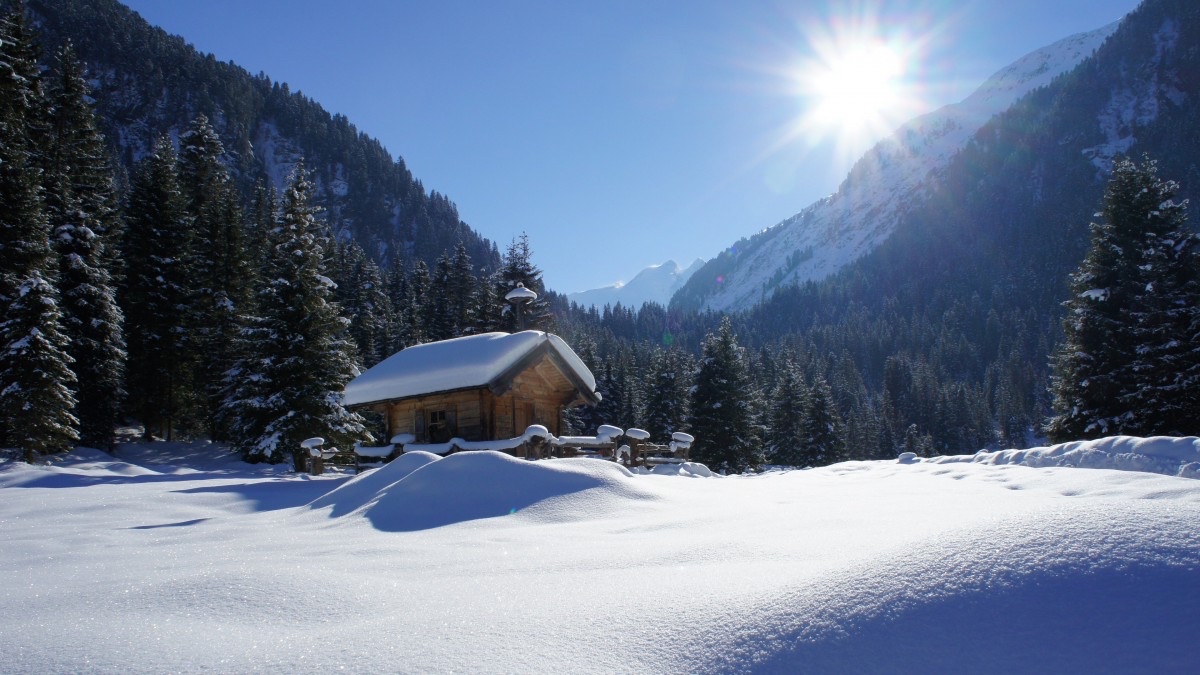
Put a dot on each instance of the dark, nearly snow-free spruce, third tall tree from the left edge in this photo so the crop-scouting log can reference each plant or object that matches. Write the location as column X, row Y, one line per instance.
column 155, row 298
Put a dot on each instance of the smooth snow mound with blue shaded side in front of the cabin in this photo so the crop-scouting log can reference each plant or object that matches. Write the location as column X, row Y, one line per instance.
column 430, row 492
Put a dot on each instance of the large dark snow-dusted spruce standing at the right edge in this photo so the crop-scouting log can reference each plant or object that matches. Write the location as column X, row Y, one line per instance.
column 1130, row 328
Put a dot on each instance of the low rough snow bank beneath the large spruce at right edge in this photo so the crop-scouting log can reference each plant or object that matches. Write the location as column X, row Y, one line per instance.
column 1169, row 456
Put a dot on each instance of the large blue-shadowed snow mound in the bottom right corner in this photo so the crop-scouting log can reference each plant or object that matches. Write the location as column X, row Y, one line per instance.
column 1077, row 589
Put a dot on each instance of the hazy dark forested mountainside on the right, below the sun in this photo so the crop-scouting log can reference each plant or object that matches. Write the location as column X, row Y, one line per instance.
column 941, row 339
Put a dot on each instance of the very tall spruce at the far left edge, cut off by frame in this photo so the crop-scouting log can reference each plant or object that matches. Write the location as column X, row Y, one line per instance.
column 37, row 383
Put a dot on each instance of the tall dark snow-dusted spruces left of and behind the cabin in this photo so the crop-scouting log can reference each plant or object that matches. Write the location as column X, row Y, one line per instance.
column 178, row 303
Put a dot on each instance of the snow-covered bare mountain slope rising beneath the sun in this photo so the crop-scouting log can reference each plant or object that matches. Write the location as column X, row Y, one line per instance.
column 880, row 190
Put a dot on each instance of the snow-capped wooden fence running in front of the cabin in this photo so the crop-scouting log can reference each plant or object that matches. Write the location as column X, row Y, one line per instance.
column 537, row 443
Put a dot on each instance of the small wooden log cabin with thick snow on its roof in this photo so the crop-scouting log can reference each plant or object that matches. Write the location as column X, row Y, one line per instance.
column 477, row 389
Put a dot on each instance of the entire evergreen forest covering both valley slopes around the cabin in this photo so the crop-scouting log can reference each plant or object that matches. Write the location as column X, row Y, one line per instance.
column 181, row 288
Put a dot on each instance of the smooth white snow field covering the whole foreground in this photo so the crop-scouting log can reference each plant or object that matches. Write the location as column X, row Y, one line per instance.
column 177, row 559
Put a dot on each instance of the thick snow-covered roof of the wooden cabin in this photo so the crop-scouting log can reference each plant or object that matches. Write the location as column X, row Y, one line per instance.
column 461, row 363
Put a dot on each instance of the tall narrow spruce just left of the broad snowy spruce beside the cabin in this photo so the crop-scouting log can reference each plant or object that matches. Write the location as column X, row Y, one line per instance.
column 223, row 274
